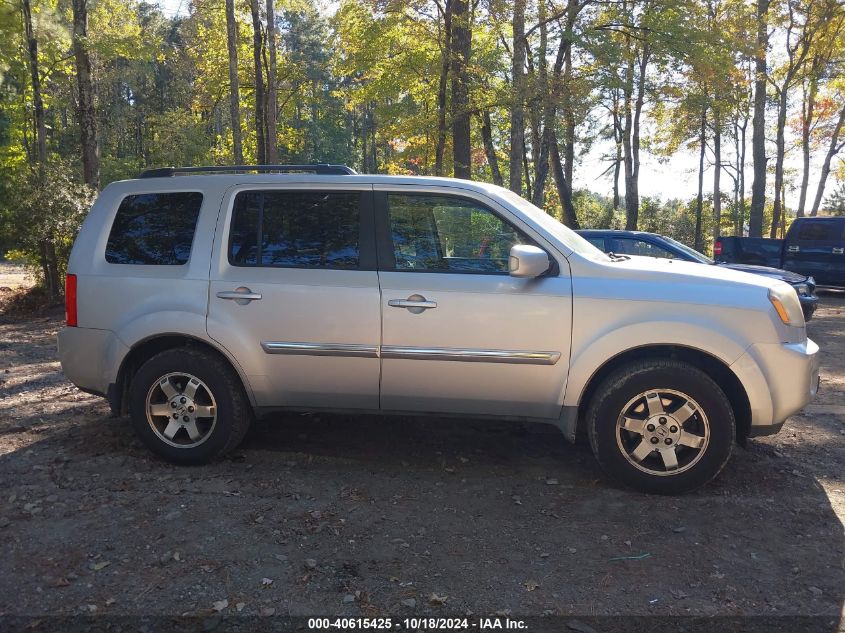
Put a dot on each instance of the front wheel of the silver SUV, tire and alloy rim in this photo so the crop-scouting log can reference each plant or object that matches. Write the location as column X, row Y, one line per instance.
column 645, row 412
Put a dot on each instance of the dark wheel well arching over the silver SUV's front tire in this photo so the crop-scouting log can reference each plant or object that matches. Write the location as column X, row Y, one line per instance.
column 710, row 365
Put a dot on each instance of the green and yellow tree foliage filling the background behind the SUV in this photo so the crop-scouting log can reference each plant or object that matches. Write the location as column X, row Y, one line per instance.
column 358, row 84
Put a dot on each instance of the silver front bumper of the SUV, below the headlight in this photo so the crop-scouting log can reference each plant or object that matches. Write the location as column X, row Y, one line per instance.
column 780, row 378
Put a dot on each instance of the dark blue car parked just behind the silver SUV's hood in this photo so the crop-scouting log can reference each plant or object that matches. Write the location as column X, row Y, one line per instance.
column 654, row 245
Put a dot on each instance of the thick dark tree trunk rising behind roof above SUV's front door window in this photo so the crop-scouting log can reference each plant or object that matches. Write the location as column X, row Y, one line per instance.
column 462, row 48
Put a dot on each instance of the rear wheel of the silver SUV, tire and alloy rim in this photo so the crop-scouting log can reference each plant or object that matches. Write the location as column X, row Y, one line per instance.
column 197, row 407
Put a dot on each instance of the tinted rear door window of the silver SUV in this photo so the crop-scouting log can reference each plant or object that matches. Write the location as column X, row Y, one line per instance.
column 296, row 229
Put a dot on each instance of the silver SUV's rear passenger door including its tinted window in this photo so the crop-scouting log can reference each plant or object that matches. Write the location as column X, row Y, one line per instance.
column 294, row 293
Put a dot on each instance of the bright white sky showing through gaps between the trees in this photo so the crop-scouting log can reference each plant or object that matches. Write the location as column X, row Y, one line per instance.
column 676, row 177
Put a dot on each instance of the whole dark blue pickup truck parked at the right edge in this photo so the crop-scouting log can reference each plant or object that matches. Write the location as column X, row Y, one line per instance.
column 813, row 246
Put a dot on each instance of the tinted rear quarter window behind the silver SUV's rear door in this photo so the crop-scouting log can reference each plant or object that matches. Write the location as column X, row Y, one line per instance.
column 154, row 229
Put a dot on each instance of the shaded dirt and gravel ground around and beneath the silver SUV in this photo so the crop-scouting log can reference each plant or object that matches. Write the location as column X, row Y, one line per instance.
column 367, row 516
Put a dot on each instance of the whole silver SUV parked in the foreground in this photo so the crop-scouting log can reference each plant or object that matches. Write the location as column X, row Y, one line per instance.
column 197, row 299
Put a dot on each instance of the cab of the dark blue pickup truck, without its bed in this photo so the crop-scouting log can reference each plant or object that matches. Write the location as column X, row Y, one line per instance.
column 815, row 246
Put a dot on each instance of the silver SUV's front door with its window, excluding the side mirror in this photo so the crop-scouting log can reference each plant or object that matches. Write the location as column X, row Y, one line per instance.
column 460, row 335
